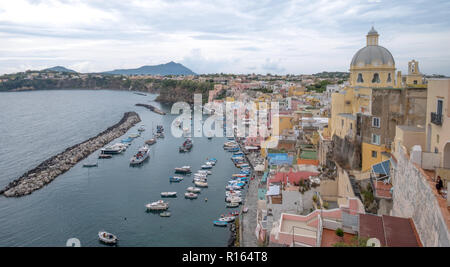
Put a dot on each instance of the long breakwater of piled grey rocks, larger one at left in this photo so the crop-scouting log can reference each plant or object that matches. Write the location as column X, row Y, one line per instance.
column 51, row 168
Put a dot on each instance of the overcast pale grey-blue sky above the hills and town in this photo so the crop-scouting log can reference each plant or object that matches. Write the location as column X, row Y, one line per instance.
column 211, row 36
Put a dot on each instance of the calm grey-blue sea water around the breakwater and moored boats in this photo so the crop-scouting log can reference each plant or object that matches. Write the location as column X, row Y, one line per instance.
column 37, row 125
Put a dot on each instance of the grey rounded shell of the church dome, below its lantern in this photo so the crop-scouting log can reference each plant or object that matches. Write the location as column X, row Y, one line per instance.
column 372, row 55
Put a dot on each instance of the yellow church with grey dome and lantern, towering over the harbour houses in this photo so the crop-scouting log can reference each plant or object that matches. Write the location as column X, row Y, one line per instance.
column 364, row 115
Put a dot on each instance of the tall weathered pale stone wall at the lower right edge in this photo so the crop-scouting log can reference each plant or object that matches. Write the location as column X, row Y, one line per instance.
column 414, row 198
